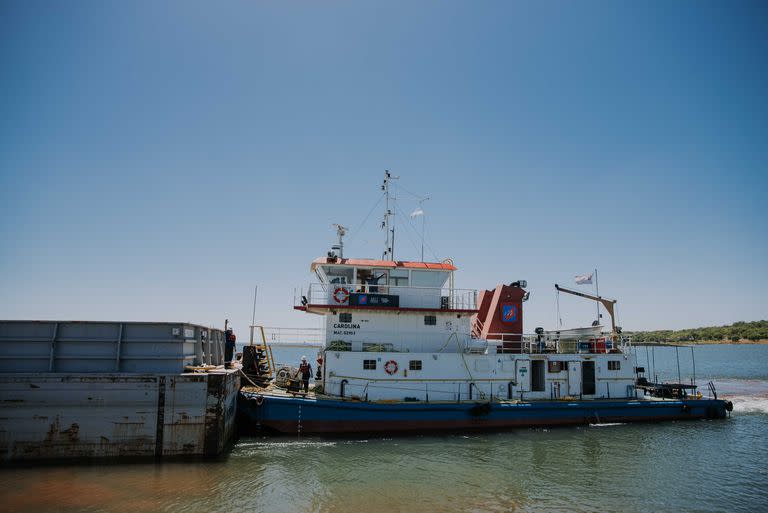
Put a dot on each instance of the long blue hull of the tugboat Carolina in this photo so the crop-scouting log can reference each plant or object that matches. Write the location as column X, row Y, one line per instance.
column 328, row 416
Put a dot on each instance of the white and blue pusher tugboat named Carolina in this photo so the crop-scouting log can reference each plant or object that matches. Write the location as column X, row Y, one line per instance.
column 403, row 350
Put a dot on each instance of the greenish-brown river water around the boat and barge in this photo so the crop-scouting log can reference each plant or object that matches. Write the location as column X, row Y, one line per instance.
column 697, row 466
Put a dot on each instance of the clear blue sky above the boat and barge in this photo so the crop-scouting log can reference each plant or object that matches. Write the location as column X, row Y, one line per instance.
column 159, row 159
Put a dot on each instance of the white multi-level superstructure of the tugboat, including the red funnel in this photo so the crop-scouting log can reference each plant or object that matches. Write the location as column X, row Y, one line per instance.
column 399, row 331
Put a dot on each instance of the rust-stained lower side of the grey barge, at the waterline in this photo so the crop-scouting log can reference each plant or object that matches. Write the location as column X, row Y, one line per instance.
column 62, row 416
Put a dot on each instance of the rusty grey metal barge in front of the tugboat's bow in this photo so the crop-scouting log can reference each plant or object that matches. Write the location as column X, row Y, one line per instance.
column 83, row 390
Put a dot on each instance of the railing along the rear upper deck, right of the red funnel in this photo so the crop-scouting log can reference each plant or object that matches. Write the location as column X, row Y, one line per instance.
column 522, row 343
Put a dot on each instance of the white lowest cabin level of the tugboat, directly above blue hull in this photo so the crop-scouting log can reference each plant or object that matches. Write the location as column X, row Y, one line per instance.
column 461, row 376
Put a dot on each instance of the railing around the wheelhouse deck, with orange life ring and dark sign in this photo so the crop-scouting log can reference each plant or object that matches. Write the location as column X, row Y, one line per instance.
column 341, row 294
